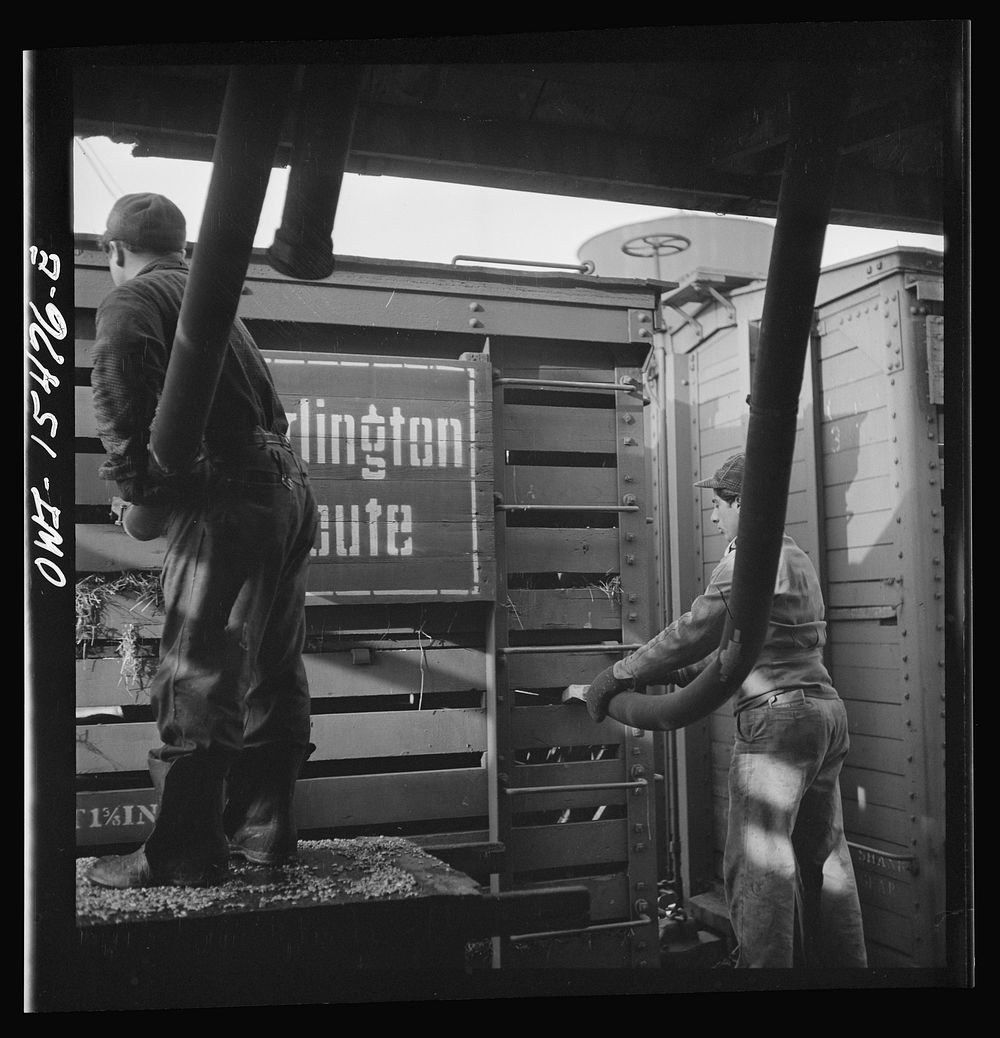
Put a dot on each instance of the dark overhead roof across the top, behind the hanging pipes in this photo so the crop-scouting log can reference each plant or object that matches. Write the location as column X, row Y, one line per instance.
column 561, row 130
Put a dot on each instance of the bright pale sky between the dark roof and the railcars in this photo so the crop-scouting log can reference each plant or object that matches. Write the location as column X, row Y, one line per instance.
column 391, row 218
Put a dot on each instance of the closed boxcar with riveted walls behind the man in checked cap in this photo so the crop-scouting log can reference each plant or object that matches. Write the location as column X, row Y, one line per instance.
column 866, row 503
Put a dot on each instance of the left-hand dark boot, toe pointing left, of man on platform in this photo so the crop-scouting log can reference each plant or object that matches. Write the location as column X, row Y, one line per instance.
column 187, row 846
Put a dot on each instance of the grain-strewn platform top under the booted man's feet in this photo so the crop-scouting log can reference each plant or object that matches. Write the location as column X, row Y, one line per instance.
column 365, row 868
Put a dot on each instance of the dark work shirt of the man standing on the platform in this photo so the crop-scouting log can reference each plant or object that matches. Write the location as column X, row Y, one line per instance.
column 136, row 327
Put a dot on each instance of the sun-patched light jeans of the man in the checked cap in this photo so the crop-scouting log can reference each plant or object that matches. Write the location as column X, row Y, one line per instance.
column 790, row 880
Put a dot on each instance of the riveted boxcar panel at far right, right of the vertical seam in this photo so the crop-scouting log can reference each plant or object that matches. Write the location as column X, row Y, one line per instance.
column 884, row 522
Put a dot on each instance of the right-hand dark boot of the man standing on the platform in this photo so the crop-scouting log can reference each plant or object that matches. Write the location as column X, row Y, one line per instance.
column 259, row 817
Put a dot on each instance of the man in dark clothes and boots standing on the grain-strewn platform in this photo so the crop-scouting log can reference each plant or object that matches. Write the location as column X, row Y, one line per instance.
column 231, row 693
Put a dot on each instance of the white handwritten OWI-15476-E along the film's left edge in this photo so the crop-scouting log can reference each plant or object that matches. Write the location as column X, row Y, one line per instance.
column 42, row 331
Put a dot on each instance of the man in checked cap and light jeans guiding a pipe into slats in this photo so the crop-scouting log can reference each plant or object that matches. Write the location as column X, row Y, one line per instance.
column 789, row 876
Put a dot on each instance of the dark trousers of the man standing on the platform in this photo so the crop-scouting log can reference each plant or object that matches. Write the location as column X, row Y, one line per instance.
column 231, row 672
